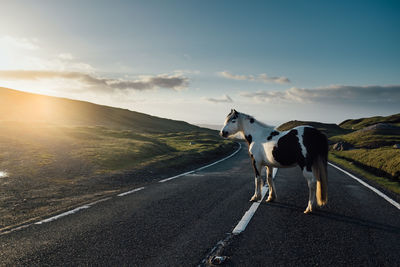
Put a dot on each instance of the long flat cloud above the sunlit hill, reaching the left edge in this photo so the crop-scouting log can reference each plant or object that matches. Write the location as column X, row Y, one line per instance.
column 168, row 81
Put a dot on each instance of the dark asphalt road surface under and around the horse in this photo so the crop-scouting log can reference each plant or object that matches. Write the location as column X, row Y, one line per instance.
column 178, row 222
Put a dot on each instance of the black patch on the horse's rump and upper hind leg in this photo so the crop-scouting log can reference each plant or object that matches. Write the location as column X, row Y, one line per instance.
column 316, row 144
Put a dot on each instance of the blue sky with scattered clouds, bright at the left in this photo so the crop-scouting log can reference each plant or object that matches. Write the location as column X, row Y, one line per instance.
column 195, row 60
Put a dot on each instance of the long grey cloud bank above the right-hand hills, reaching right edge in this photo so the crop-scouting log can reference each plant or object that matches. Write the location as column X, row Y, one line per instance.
column 373, row 94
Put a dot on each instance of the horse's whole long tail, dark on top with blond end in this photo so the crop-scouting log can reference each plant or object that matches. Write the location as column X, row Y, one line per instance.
column 320, row 170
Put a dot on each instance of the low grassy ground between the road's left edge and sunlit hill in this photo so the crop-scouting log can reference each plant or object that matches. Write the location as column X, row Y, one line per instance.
column 52, row 168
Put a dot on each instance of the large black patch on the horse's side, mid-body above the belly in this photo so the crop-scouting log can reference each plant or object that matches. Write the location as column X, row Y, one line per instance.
column 288, row 150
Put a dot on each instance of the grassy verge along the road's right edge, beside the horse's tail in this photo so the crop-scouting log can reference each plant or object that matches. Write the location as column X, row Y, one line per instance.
column 359, row 168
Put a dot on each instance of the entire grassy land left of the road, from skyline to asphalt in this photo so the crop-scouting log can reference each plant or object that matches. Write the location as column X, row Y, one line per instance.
column 58, row 153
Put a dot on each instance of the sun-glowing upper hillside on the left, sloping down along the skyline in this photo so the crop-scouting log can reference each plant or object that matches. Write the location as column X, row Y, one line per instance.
column 27, row 107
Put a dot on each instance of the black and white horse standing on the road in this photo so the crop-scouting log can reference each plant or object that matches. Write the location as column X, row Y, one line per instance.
column 302, row 146
